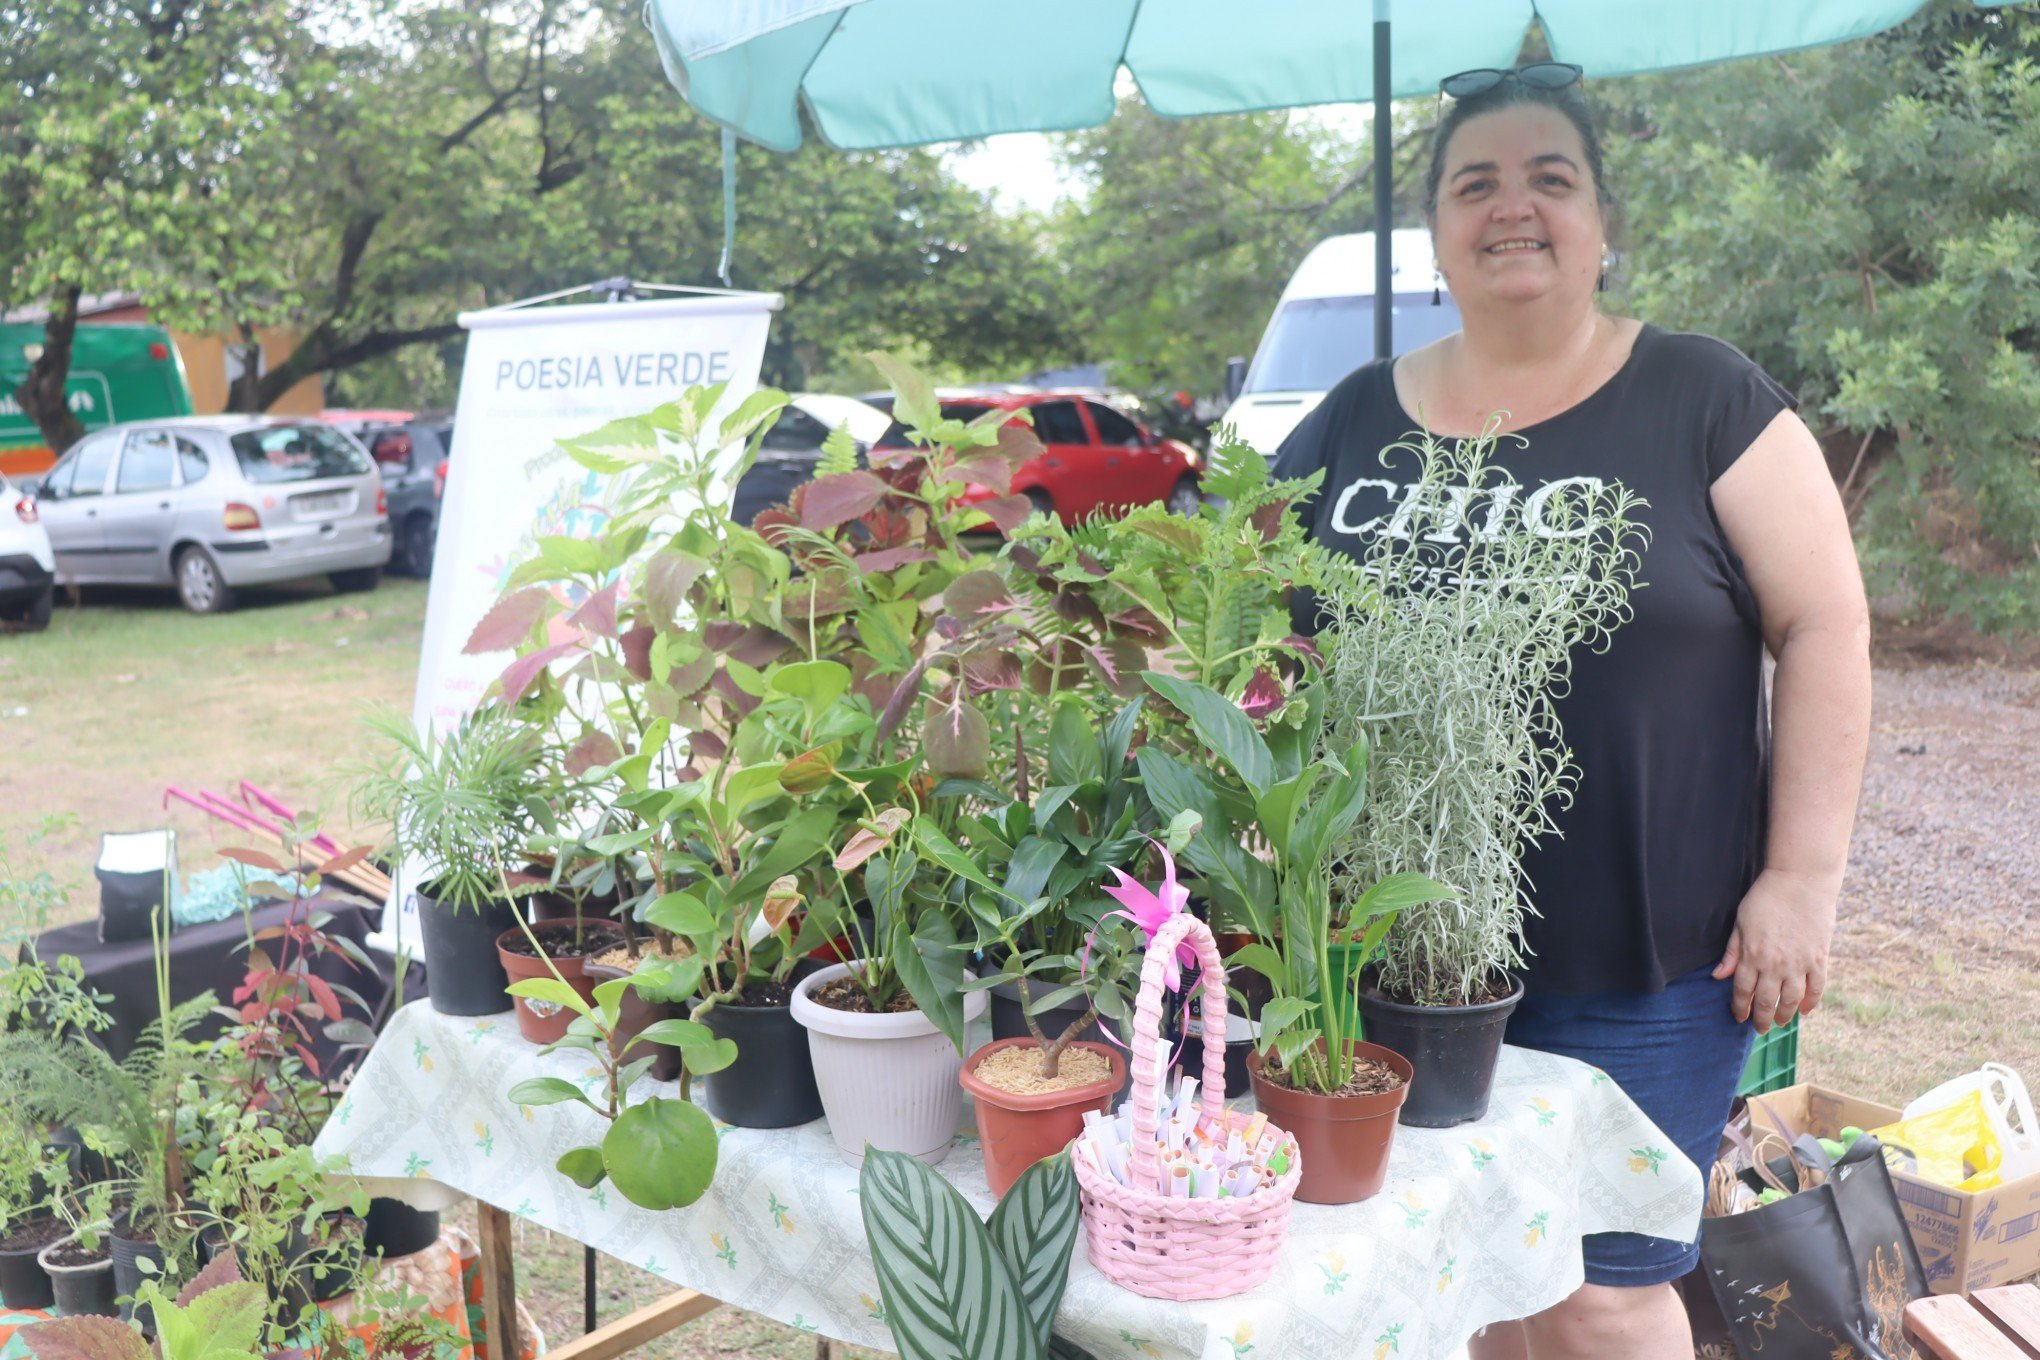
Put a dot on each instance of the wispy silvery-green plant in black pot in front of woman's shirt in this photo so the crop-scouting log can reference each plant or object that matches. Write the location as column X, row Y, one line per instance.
column 1445, row 653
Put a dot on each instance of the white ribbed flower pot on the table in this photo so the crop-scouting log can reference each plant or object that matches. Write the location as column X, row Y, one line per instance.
column 888, row 1082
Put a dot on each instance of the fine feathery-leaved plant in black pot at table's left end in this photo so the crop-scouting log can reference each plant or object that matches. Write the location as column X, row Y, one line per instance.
column 460, row 804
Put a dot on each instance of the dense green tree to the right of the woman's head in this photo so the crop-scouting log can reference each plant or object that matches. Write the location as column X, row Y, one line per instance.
column 1866, row 221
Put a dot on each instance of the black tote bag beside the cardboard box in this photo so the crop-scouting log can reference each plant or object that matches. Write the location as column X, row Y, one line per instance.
column 1825, row 1273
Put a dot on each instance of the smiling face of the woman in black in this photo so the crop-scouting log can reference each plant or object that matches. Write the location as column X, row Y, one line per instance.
column 1519, row 213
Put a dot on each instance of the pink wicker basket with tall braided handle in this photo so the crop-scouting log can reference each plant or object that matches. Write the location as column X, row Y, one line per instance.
column 1182, row 1249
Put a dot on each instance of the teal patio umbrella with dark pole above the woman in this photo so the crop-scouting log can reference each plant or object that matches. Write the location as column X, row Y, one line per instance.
column 913, row 72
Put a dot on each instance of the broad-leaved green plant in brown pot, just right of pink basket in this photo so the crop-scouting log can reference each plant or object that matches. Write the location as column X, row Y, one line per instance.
column 1286, row 790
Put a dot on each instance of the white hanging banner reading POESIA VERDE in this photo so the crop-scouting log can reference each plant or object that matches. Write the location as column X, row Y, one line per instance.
column 535, row 376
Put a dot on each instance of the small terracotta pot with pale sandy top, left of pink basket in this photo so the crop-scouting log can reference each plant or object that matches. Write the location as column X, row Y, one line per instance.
column 1023, row 1114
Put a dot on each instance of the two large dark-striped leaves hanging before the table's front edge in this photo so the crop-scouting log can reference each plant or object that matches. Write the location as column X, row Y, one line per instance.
column 958, row 1288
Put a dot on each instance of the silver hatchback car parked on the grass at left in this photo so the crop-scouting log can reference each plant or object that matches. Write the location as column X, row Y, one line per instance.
column 217, row 503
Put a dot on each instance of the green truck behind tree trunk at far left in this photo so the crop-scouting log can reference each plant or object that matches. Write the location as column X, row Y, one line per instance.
column 119, row 372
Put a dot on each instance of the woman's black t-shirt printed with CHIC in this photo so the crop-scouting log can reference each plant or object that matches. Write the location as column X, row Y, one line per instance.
column 1668, row 725
